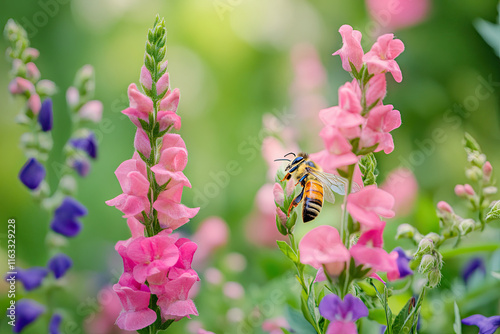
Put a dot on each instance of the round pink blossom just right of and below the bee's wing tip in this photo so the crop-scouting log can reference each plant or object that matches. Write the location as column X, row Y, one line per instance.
column 366, row 205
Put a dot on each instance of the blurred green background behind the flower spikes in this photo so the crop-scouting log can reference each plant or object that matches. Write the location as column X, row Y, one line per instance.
column 232, row 65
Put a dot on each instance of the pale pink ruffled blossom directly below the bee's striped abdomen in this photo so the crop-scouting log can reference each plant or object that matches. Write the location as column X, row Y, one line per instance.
column 322, row 246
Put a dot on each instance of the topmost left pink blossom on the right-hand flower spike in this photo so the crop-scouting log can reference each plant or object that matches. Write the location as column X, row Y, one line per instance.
column 351, row 50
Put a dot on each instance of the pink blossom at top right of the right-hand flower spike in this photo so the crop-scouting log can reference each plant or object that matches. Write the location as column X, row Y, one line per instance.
column 381, row 57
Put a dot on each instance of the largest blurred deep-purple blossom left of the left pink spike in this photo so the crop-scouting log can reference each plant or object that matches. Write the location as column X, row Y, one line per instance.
column 65, row 219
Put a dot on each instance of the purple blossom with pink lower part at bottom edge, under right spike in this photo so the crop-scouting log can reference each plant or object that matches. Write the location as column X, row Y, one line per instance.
column 342, row 313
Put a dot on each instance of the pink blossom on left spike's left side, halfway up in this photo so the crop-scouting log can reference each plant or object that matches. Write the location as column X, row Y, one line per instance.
column 133, row 180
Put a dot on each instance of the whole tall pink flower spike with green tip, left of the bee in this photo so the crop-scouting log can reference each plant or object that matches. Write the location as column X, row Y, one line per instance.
column 157, row 274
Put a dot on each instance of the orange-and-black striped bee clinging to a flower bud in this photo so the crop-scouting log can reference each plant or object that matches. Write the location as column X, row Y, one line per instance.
column 313, row 181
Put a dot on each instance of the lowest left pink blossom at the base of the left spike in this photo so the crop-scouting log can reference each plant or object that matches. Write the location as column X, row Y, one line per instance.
column 135, row 314
